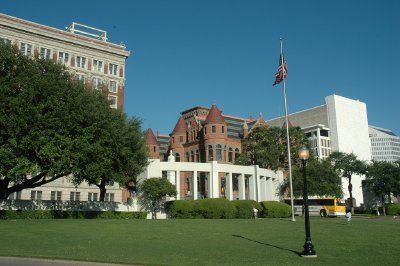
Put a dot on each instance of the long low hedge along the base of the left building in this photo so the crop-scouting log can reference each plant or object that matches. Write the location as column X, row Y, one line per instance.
column 56, row 214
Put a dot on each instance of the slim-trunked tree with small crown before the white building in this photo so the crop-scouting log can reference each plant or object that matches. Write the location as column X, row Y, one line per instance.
column 347, row 165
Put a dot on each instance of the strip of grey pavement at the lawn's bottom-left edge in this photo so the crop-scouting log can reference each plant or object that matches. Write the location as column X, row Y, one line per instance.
column 12, row 261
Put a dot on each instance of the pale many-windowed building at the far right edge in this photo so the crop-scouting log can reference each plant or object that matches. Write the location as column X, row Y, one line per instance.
column 385, row 145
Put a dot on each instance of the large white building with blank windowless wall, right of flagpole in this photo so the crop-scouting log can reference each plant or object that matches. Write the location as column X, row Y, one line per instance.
column 341, row 124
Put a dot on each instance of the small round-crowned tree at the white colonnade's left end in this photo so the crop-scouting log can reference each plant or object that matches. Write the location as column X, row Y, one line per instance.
column 153, row 193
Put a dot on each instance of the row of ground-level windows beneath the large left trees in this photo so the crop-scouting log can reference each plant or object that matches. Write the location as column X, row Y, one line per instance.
column 57, row 196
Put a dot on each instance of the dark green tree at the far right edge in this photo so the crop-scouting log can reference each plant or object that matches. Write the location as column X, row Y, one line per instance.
column 383, row 178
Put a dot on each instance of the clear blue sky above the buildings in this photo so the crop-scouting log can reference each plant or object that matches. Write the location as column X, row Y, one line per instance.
column 188, row 53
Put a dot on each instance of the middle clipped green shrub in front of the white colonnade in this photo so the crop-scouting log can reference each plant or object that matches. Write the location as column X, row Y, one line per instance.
column 214, row 209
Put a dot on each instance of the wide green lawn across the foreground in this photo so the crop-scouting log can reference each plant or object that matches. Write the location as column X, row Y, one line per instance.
column 204, row 242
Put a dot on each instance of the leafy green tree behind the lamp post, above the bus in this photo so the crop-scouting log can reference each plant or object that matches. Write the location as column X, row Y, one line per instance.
column 322, row 179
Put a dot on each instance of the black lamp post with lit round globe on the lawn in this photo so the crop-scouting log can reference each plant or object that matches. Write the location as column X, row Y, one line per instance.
column 308, row 251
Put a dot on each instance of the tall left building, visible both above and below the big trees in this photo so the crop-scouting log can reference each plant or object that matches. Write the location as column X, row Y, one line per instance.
column 88, row 55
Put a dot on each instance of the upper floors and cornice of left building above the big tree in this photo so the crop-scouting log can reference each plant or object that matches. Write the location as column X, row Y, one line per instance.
column 84, row 50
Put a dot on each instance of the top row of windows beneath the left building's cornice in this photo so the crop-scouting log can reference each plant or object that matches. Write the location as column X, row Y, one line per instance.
column 66, row 58
